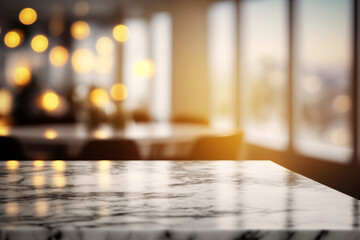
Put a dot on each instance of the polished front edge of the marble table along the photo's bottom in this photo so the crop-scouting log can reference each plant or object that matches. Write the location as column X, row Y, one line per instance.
column 40, row 233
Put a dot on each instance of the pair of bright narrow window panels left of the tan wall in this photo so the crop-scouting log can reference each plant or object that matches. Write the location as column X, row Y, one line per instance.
column 147, row 65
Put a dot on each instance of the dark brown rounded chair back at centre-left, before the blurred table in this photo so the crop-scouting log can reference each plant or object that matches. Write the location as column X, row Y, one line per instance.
column 119, row 149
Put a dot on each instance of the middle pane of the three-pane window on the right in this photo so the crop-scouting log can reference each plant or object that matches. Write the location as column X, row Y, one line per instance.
column 263, row 52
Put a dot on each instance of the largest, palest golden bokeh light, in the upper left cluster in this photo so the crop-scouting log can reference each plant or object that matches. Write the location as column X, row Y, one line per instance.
column 83, row 61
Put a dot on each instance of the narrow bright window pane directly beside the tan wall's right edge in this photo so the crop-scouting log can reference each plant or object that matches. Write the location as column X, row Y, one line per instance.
column 221, row 50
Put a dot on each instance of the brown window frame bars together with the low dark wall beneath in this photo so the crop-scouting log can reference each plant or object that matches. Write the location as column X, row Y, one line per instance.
column 341, row 176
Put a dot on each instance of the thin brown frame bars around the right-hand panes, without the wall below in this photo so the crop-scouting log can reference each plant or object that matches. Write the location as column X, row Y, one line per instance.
column 291, row 38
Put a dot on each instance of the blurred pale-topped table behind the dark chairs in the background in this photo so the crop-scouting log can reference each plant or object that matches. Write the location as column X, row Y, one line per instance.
column 69, row 138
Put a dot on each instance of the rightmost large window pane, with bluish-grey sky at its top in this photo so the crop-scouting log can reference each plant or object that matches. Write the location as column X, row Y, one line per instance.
column 322, row 79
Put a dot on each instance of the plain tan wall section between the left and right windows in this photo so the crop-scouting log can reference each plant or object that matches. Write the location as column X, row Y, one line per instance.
column 190, row 80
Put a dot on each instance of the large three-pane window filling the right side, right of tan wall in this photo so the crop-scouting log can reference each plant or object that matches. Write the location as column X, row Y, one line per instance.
column 316, row 112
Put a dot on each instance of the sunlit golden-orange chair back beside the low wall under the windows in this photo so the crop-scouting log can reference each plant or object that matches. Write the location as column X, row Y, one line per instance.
column 217, row 147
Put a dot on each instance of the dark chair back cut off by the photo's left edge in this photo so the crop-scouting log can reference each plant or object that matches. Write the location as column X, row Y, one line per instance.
column 11, row 149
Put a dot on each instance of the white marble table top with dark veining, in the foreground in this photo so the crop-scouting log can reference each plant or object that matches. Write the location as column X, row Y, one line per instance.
column 169, row 200
